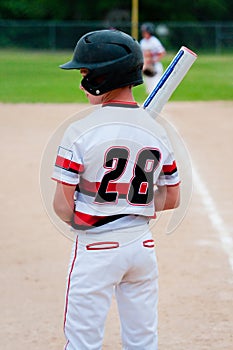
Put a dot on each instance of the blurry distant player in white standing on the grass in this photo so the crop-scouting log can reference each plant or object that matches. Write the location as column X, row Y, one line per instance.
column 153, row 52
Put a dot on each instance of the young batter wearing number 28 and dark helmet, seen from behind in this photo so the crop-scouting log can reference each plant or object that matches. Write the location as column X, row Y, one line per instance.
column 114, row 169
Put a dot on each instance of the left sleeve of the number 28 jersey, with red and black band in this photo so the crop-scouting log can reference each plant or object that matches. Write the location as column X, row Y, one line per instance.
column 69, row 161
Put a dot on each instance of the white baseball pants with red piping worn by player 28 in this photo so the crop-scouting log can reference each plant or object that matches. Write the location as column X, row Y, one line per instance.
column 123, row 261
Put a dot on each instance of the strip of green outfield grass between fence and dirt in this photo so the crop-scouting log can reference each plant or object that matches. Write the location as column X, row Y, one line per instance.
column 29, row 76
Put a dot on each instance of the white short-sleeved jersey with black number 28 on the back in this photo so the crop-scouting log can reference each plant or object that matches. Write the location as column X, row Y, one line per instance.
column 115, row 157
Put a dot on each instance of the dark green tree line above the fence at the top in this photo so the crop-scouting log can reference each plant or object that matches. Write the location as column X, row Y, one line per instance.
column 149, row 10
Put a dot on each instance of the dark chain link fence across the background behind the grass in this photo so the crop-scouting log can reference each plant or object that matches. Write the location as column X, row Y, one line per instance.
column 209, row 37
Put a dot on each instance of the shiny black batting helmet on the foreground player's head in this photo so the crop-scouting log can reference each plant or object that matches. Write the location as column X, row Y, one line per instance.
column 113, row 58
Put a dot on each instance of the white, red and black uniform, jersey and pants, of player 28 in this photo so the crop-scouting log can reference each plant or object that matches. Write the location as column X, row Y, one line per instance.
column 115, row 157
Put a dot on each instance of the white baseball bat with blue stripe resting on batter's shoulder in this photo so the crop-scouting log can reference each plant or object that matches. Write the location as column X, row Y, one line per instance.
column 169, row 81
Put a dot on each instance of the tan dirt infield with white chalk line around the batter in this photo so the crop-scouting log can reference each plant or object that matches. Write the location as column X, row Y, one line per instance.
column 195, row 261
